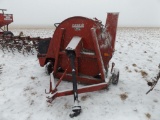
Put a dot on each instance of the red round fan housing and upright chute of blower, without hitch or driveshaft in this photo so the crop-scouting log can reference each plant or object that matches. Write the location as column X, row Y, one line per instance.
column 93, row 52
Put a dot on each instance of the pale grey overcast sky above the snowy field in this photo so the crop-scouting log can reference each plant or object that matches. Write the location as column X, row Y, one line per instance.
column 139, row 13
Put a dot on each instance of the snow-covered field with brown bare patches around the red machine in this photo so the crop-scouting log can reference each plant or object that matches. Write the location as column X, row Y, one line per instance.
column 137, row 55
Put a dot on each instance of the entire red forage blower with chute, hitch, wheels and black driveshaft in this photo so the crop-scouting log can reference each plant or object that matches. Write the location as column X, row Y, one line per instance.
column 79, row 52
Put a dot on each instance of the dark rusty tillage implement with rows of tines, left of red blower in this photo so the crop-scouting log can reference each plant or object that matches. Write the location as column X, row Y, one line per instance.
column 23, row 44
